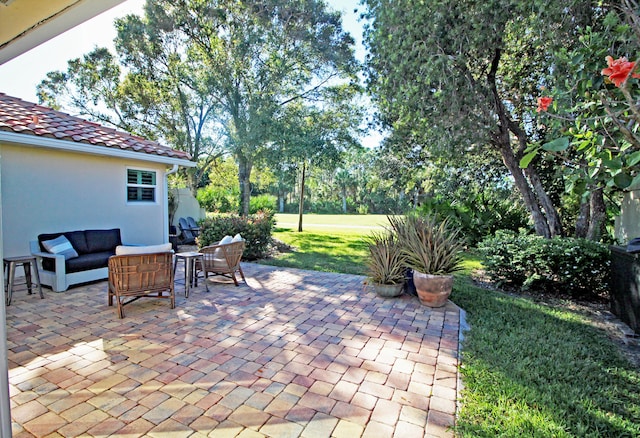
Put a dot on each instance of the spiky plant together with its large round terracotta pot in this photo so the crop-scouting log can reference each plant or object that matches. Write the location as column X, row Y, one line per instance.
column 432, row 250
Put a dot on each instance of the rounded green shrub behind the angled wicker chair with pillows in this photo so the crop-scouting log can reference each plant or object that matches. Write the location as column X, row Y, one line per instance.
column 255, row 229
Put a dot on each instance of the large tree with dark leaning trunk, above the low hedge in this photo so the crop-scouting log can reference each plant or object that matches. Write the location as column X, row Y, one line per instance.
column 456, row 77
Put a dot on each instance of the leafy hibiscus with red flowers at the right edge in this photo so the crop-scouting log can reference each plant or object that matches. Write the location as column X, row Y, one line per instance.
column 594, row 118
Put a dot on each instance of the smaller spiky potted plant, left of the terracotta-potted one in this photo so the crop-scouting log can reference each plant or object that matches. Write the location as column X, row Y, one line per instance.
column 386, row 265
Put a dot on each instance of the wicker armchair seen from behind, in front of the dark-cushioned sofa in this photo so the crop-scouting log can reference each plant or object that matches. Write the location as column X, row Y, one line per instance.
column 140, row 275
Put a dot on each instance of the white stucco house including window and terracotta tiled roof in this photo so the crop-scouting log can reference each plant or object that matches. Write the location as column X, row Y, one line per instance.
column 62, row 173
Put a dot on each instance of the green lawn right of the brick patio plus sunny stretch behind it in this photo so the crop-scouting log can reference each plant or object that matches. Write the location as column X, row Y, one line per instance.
column 528, row 369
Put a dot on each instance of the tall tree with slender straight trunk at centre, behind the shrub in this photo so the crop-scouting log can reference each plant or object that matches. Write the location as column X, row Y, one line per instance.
column 261, row 56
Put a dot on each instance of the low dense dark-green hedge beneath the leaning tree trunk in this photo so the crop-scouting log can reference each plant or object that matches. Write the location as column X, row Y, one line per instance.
column 577, row 267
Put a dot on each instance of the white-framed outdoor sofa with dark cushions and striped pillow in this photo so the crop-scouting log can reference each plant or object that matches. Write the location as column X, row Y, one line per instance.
column 74, row 257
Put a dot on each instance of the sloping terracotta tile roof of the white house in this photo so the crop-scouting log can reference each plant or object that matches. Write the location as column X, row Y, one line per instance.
column 19, row 116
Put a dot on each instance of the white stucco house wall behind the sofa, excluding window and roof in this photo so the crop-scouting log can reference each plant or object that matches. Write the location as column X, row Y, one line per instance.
column 46, row 191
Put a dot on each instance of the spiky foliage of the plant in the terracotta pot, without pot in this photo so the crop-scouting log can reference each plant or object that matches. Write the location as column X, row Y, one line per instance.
column 429, row 246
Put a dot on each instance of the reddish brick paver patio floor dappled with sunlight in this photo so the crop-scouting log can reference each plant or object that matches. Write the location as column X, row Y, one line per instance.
column 291, row 353
